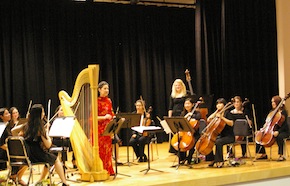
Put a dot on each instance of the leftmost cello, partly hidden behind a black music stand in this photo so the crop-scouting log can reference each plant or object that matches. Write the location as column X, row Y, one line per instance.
column 186, row 139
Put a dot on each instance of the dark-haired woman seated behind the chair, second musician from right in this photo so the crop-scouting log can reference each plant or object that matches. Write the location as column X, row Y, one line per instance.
column 240, row 112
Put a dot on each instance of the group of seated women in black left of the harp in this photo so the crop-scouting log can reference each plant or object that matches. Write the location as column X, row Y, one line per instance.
column 37, row 142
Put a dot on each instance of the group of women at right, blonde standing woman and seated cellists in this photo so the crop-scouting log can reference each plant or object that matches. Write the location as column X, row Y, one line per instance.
column 220, row 126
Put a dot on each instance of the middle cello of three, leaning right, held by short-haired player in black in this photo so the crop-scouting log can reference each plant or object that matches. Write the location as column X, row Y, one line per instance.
column 209, row 134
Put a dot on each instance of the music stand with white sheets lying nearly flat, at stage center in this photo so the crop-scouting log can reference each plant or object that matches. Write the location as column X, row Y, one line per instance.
column 148, row 129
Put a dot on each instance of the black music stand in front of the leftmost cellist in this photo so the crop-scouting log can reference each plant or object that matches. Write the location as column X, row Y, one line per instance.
column 178, row 124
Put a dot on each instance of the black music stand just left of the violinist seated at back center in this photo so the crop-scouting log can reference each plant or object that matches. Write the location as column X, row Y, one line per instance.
column 131, row 119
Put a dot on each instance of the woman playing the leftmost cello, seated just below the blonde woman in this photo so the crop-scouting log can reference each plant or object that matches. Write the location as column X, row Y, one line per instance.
column 193, row 118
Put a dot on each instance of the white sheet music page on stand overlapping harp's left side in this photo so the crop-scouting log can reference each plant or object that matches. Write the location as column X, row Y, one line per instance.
column 62, row 127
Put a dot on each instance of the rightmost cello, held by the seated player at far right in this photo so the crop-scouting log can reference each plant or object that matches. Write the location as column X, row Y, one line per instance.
column 265, row 136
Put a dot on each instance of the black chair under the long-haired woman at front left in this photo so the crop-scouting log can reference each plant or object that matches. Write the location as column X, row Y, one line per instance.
column 18, row 157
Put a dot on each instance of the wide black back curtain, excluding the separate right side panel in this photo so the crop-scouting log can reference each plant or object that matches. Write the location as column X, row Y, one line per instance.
column 140, row 50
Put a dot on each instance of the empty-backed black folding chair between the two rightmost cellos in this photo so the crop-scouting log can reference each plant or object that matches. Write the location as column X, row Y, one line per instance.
column 241, row 128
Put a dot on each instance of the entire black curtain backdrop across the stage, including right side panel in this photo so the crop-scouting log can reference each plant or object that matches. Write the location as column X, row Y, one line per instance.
column 141, row 50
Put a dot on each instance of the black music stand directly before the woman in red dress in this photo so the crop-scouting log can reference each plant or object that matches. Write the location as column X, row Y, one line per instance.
column 111, row 129
